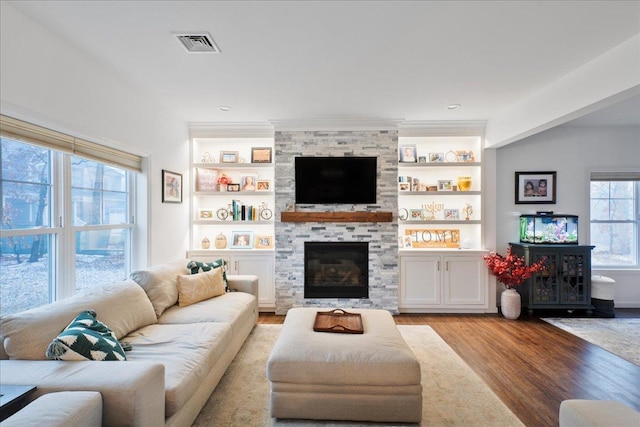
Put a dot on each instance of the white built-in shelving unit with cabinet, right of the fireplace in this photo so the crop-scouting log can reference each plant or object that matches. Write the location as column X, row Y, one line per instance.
column 433, row 207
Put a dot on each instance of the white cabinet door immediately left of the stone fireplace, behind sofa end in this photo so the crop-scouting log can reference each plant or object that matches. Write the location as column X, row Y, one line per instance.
column 261, row 266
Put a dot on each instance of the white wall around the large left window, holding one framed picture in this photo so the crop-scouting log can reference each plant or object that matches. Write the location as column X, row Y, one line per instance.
column 47, row 81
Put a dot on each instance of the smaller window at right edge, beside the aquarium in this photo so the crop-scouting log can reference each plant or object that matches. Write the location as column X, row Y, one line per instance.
column 615, row 219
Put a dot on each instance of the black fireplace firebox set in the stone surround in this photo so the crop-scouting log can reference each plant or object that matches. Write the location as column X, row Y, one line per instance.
column 336, row 270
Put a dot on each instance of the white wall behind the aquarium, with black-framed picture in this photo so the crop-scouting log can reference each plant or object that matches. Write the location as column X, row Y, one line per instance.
column 573, row 152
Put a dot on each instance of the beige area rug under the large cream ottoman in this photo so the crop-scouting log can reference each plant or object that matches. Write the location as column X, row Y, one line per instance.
column 453, row 395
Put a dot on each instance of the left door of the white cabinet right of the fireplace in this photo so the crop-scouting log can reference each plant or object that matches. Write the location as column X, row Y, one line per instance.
column 420, row 283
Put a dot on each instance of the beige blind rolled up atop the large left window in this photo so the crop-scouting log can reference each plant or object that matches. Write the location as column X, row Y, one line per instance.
column 33, row 134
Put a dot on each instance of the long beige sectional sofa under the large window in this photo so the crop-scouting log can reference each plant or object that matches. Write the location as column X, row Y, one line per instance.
column 178, row 354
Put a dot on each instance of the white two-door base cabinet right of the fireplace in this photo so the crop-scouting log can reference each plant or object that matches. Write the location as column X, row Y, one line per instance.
column 443, row 281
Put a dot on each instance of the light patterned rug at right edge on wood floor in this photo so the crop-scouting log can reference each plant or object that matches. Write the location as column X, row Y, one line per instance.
column 618, row 336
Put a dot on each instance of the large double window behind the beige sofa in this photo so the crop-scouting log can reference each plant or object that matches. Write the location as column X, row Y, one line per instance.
column 66, row 221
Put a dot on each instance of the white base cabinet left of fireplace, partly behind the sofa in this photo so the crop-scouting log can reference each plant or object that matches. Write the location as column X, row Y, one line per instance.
column 259, row 263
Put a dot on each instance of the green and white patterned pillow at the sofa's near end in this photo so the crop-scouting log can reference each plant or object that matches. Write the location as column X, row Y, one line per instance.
column 86, row 338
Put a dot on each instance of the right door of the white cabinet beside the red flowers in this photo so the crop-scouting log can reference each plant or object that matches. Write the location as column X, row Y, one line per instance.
column 465, row 280
